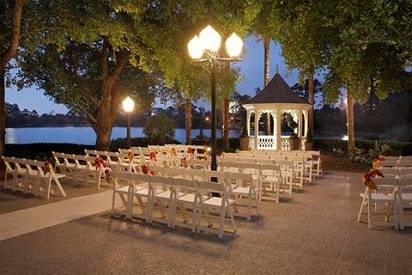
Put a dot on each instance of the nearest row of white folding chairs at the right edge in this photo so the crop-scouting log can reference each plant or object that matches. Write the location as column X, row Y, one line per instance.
column 392, row 197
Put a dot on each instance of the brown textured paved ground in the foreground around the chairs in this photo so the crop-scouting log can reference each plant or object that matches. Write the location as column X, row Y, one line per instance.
column 313, row 233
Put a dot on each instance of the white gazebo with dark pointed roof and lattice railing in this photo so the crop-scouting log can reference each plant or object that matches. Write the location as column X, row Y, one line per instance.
column 276, row 101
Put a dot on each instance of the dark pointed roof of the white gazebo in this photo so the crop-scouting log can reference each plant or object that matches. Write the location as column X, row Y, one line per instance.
column 277, row 91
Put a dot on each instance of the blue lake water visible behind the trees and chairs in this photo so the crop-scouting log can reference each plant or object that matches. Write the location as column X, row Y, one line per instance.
column 85, row 135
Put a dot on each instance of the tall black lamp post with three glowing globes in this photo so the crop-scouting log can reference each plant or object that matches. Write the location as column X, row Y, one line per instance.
column 204, row 48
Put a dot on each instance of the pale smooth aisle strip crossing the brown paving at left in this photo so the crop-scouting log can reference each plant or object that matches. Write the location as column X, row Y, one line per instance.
column 24, row 221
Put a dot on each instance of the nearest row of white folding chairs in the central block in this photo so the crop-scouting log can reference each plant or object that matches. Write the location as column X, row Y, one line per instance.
column 173, row 193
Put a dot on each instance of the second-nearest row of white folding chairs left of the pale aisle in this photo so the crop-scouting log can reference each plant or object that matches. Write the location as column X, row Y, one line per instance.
column 79, row 167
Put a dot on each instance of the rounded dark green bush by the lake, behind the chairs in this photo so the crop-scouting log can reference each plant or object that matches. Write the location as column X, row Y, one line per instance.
column 159, row 129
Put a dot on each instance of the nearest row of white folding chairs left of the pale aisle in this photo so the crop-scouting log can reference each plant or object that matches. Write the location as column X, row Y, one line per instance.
column 32, row 176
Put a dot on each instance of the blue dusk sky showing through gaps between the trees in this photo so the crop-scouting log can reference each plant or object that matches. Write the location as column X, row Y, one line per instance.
column 251, row 69
